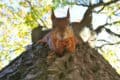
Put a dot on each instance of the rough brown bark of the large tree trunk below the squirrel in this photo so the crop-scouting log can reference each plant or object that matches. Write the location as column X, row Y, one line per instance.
column 84, row 64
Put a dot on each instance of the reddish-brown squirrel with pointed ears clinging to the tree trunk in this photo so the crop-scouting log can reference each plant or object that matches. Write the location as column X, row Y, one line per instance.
column 61, row 38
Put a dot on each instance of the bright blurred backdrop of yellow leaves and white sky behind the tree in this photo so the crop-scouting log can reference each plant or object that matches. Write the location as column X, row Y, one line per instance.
column 19, row 17
